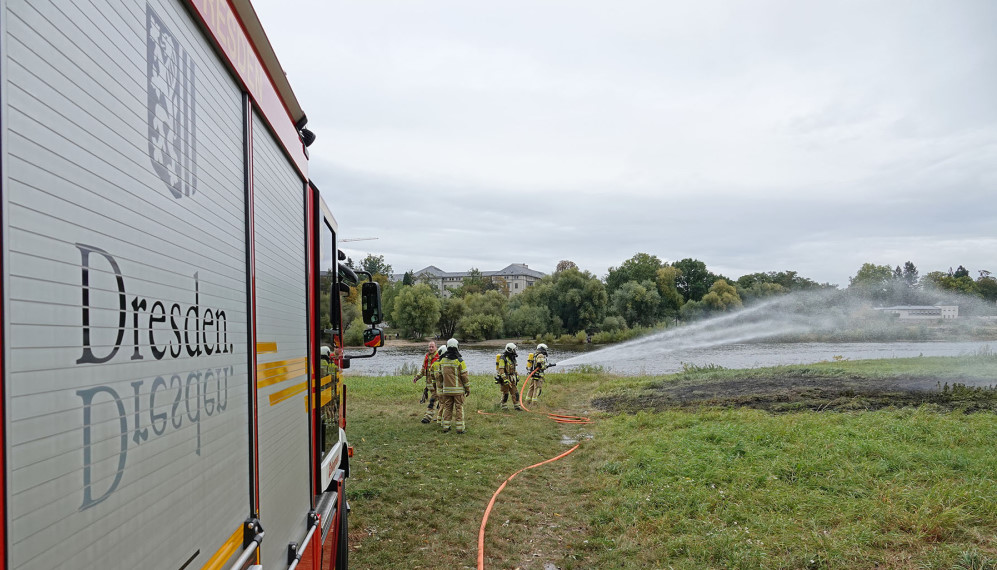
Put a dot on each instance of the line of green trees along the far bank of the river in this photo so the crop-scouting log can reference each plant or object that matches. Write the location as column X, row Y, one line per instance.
column 643, row 292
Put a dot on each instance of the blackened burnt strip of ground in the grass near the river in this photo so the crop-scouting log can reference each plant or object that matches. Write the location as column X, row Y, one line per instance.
column 797, row 393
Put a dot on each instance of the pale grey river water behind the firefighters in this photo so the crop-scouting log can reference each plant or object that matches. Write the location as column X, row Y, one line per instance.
column 659, row 358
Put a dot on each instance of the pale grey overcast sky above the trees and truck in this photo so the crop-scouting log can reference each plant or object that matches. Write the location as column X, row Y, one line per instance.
column 754, row 136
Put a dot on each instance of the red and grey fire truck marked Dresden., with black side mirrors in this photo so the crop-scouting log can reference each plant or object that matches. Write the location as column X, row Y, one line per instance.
column 171, row 349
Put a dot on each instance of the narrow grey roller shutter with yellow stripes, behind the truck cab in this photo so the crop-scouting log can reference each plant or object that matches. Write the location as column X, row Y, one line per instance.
column 281, row 318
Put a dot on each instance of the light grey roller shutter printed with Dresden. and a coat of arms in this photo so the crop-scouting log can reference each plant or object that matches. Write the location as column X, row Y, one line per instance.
column 125, row 272
